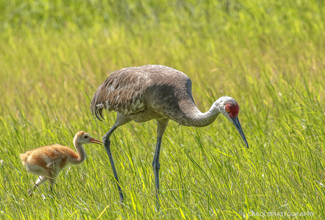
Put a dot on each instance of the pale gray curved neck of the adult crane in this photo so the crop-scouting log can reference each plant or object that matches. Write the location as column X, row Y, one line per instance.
column 194, row 117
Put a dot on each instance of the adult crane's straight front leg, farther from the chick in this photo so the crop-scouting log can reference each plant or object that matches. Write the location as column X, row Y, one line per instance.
column 161, row 127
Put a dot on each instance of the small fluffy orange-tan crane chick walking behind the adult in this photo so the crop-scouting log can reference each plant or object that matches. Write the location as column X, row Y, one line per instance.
column 48, row 161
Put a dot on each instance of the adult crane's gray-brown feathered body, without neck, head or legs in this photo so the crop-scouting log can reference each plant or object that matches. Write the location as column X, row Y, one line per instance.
column 145, row 93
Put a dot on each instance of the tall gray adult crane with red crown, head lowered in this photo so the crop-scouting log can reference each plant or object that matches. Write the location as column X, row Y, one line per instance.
column 155, row 92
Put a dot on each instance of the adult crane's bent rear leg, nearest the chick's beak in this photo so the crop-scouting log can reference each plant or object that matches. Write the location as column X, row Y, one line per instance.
column 120, row 120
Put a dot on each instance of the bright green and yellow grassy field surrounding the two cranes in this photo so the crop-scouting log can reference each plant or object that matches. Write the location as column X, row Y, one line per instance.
column 269, row 55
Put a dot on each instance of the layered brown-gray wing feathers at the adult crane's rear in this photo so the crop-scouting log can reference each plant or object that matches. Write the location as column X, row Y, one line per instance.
column 122, row 92
